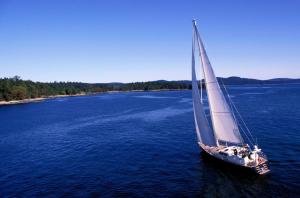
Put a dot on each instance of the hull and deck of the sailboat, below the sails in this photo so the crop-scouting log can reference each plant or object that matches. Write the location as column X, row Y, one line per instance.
column 258, row 165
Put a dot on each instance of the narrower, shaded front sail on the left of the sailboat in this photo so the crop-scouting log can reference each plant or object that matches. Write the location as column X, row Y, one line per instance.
column 203, row 130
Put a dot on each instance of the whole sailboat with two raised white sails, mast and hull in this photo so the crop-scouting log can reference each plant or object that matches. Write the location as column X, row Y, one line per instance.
column 219, row 133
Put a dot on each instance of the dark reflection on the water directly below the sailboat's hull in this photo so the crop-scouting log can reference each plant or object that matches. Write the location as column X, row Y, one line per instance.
column 230, row 181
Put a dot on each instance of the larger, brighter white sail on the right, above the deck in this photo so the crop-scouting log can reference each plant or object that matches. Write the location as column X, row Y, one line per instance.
column 224, row 124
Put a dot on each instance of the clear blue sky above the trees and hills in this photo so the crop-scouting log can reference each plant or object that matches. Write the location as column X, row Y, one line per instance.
column 131, row 40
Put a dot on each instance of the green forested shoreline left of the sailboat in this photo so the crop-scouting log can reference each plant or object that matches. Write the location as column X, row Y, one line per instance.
column 17, row 89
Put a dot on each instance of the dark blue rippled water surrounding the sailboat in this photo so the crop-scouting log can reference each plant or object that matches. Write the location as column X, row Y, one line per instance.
column 143, row 144
